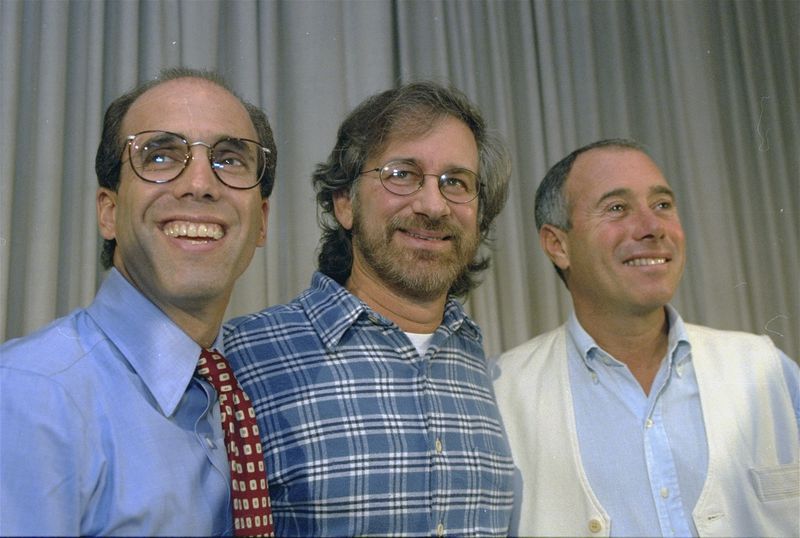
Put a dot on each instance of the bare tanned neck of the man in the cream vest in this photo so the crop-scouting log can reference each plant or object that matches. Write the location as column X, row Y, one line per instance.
column 639, row 340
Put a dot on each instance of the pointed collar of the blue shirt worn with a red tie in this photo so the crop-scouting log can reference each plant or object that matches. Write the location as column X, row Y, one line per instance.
column 157, row 349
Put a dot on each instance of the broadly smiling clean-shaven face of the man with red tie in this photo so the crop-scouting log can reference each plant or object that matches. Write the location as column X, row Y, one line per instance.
column 184, row 243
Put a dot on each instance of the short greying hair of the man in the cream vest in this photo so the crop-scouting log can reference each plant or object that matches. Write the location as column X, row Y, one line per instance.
column 552, row 206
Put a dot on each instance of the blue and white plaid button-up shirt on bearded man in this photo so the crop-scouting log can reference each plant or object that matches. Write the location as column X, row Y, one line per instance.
column 363, row 436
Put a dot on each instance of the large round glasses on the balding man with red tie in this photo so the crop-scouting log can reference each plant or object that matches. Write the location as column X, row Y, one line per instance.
column 162, row 156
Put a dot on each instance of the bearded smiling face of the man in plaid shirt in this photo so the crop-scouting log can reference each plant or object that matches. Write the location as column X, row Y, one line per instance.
column 415, row 245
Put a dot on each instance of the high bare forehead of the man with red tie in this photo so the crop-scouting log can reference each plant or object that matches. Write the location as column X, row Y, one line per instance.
column 193, row 107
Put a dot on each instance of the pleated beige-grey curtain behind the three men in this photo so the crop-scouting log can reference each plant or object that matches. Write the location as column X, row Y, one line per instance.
column 712, row 87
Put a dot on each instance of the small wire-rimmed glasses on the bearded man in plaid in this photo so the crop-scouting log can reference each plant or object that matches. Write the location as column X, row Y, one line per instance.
column 404, row 178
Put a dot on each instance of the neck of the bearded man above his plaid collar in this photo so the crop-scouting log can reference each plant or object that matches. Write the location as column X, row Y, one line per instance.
column 410, row 314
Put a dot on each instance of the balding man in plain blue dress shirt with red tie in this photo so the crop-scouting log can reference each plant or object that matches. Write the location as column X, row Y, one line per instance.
column 105, row 430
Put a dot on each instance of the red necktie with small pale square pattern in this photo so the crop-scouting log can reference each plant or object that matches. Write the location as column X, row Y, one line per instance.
column 251, row 508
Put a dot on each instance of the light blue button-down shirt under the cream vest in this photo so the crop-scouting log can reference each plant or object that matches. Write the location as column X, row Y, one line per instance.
column 645, row 455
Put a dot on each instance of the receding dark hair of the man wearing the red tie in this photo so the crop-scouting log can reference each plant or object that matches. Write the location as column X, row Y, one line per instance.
column 108, row 161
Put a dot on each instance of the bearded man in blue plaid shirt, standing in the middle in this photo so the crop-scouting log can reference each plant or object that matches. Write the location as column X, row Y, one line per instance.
column 372, row 384
